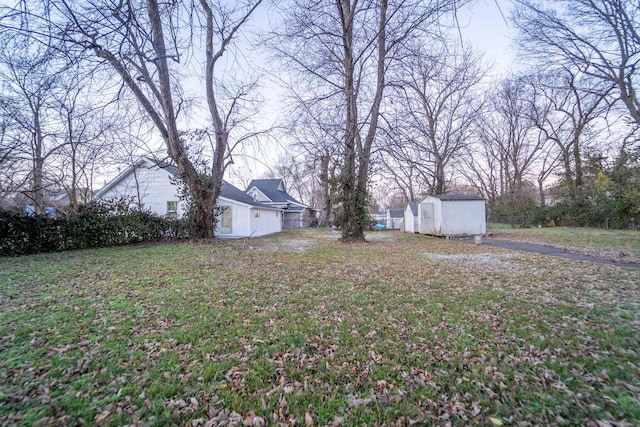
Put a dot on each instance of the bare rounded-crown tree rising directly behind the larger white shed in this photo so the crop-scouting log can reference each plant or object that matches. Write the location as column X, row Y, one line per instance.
column 439, row 98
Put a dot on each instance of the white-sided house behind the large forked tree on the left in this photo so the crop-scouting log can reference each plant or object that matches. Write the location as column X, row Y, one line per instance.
column 150, row 184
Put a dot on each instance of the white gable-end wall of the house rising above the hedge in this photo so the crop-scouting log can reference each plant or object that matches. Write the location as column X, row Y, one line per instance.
column 154, row 186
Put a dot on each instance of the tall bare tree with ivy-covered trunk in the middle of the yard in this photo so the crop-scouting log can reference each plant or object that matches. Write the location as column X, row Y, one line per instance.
column 344, row 49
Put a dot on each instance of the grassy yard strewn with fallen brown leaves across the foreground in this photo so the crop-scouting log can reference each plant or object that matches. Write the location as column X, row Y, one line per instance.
column 300, row 329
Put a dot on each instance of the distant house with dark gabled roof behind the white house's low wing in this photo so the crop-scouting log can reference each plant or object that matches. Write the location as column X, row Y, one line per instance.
column 272, row 192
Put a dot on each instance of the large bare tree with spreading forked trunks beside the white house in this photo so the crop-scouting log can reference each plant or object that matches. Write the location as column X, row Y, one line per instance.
column 147, row 44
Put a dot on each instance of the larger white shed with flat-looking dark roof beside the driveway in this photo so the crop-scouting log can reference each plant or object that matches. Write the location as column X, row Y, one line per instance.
column 450, row 215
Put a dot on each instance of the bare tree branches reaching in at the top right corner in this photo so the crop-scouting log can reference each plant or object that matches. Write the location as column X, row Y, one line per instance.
column 599, row 38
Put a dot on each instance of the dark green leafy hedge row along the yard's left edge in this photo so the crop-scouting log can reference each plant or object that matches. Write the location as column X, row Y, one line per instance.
column 94, row 225
